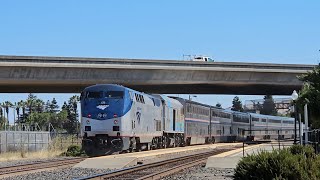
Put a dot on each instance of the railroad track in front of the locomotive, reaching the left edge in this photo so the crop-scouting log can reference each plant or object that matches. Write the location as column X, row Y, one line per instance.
column 25, row 168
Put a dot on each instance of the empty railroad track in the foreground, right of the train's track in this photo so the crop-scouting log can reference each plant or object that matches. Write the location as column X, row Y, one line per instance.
column 157, row 170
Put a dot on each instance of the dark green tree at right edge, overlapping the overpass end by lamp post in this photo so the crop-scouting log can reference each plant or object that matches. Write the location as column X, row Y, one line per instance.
column 310, row 94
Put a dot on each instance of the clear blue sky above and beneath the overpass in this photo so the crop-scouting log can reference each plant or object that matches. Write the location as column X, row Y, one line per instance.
column 244, row 31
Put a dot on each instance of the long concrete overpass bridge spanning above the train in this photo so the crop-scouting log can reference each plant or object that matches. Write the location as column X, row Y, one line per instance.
column 23, row 74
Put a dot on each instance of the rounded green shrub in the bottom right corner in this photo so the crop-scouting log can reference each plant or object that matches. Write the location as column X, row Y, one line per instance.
column 297, row 162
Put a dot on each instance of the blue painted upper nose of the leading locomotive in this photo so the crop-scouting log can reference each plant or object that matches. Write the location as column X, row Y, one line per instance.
column 116, row 106
